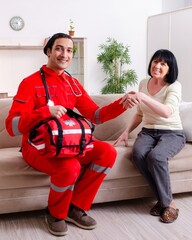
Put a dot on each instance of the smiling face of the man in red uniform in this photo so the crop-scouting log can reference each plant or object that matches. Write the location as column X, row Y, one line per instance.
column 60, row 57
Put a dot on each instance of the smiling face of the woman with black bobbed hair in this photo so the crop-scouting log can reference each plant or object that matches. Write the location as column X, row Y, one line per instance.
column 159, row 69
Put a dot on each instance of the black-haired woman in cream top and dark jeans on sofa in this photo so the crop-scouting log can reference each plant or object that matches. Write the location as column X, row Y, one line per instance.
column 162, row 134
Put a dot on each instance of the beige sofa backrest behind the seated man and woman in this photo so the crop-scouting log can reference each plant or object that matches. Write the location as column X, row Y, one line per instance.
column 107, row 131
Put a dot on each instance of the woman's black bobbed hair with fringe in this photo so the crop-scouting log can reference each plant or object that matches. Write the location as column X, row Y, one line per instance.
column 169, row 58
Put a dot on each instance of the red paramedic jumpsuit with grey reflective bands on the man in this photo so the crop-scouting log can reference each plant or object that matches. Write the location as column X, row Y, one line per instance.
column 30, row 106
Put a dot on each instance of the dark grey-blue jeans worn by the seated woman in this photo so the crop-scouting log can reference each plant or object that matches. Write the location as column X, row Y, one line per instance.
column 151, row 152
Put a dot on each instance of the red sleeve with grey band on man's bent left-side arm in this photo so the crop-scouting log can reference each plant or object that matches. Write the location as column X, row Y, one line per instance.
column 23, row 115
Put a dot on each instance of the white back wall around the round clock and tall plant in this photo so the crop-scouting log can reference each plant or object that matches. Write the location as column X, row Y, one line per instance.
column 125, row 20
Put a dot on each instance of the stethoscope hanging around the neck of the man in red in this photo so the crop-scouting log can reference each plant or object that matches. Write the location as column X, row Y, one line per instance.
column 77, row 93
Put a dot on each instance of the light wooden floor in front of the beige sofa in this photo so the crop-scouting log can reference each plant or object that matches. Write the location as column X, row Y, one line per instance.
column 125, row 220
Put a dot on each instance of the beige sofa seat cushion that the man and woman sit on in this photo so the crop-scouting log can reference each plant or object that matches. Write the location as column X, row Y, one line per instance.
column 16, row 172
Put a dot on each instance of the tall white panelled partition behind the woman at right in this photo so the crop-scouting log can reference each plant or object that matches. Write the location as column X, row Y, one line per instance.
column 172, row 33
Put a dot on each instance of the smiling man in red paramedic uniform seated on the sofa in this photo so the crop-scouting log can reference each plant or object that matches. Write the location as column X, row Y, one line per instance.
column 68, row 198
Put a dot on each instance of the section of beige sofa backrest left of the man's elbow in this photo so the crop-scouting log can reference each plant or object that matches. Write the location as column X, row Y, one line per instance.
column 5, row 139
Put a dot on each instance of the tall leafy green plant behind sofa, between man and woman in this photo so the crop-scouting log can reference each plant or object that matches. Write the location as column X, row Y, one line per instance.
column 114, row 58
